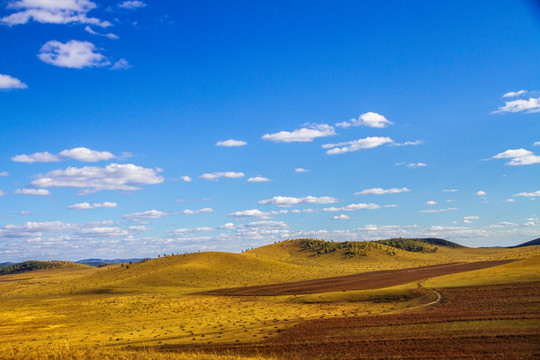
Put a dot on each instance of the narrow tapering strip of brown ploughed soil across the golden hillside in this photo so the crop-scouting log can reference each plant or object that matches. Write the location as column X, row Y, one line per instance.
column 364, row 281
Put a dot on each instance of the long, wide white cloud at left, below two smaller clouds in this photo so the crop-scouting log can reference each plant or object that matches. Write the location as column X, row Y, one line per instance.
column 92, row 179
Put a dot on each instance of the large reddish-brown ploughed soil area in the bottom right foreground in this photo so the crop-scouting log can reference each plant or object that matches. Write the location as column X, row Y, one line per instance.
column 489, row 322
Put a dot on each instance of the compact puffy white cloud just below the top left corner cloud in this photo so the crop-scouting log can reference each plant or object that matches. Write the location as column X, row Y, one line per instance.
column 74, row 54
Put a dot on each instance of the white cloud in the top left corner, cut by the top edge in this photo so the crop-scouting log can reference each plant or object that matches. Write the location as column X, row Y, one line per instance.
column 52, row 12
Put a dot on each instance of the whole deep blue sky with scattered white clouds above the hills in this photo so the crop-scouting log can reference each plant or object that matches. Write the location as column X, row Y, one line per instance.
column 137, row 128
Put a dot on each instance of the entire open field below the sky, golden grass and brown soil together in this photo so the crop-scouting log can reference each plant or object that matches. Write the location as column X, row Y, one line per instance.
column 174, row 307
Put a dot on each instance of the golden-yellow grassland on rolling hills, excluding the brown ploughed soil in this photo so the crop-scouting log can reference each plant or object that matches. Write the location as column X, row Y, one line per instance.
column 81, row 312
